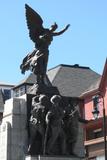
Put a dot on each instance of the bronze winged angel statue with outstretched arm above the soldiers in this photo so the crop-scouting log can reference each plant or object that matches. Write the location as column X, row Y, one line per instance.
column 42, row 37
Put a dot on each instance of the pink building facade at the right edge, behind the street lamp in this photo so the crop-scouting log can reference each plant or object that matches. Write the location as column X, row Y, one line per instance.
column 96, row 129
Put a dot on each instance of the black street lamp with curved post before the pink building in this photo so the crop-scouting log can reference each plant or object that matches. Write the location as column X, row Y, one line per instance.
column 96, row 114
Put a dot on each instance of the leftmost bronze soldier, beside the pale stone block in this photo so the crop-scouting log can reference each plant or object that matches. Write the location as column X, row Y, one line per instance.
column 37, row 124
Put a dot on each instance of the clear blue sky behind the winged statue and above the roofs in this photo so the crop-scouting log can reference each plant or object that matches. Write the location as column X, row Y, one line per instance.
column 84, row 43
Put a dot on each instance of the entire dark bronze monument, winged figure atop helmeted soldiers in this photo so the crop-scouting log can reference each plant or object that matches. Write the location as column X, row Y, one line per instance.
column 50, row 118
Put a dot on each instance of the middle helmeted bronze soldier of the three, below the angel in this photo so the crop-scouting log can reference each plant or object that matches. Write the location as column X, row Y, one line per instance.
column 55, row 116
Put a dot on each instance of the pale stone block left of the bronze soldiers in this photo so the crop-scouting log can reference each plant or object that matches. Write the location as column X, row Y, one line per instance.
column 13, row 131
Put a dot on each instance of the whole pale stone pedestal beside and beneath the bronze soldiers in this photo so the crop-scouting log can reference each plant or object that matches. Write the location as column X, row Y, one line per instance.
column 14, row 132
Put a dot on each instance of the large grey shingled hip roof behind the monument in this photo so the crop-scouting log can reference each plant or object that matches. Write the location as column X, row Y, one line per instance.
column 73, row 80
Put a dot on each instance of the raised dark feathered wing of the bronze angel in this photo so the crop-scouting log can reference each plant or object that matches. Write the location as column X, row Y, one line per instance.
column 34, row 23
